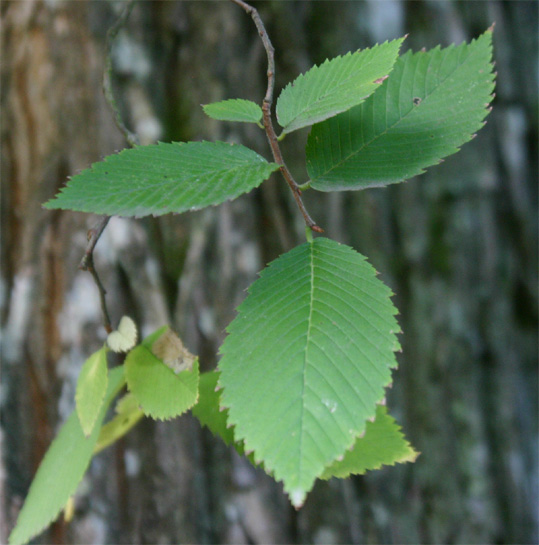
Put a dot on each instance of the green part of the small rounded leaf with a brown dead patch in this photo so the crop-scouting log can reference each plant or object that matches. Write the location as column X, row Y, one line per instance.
column 160, row 392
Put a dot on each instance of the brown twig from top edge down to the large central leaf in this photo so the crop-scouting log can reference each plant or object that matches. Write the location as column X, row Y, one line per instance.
column 266, row 109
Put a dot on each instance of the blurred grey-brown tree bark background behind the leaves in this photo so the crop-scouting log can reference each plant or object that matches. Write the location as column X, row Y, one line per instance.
column 458, row 245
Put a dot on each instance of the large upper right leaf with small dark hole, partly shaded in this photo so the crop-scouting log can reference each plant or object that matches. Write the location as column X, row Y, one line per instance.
column 432, row 104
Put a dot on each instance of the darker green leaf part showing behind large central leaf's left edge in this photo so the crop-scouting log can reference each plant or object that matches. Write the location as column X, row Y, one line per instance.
column 207, row 408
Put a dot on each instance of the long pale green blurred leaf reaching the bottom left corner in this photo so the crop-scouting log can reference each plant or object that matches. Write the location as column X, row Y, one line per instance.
column 61, row 470
